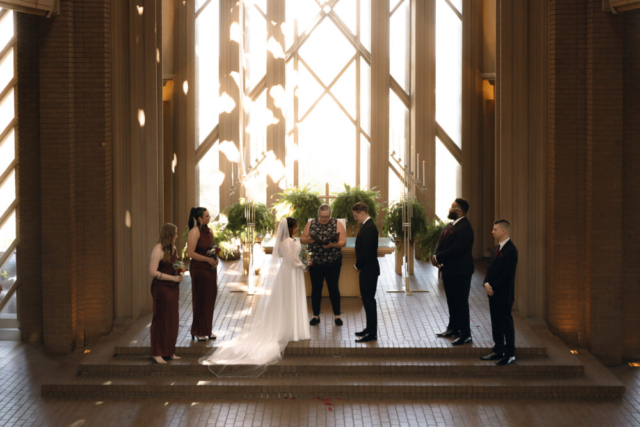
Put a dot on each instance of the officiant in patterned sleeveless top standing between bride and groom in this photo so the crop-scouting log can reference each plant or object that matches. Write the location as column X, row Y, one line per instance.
column 326, row 237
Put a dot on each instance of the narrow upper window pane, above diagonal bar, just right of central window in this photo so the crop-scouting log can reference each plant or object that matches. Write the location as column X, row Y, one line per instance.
column 400, row 43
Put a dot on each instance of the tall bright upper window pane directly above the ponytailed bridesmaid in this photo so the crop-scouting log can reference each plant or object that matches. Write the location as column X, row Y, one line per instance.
column 207, row 70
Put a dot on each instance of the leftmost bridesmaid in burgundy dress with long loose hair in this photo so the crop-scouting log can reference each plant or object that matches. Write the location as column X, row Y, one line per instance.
column 165, row 290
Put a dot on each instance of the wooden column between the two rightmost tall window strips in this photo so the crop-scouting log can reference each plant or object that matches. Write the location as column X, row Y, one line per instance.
column 423, row 99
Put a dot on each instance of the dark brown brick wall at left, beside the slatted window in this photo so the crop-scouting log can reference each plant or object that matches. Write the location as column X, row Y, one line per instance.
column 68, row 98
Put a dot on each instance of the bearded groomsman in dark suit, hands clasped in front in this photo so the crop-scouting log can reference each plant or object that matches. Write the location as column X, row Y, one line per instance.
column 453, row 257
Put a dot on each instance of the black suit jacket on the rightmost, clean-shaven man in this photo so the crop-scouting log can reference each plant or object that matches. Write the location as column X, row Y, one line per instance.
column 501, row 274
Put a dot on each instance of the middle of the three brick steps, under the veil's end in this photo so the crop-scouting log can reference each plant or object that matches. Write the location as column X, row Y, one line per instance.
column 342, row 366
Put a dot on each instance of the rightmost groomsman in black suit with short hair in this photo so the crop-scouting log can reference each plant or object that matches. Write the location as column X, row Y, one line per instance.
column 500, row 286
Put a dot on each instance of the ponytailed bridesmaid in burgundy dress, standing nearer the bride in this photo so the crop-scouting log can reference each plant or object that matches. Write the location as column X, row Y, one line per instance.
column 204, row 281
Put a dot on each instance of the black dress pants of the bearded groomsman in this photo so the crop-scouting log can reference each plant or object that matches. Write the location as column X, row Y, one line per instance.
column 456, row 288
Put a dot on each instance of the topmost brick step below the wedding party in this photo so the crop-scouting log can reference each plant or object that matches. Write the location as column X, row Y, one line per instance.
column 349, row 348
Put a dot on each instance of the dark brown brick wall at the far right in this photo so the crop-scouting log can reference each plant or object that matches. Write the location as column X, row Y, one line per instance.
column 592, row 178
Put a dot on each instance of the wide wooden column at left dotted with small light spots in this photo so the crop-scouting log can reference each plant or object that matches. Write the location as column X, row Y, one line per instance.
column 138, row 179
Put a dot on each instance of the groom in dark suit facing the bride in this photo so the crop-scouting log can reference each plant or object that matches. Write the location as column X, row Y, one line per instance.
column 369, row 268
